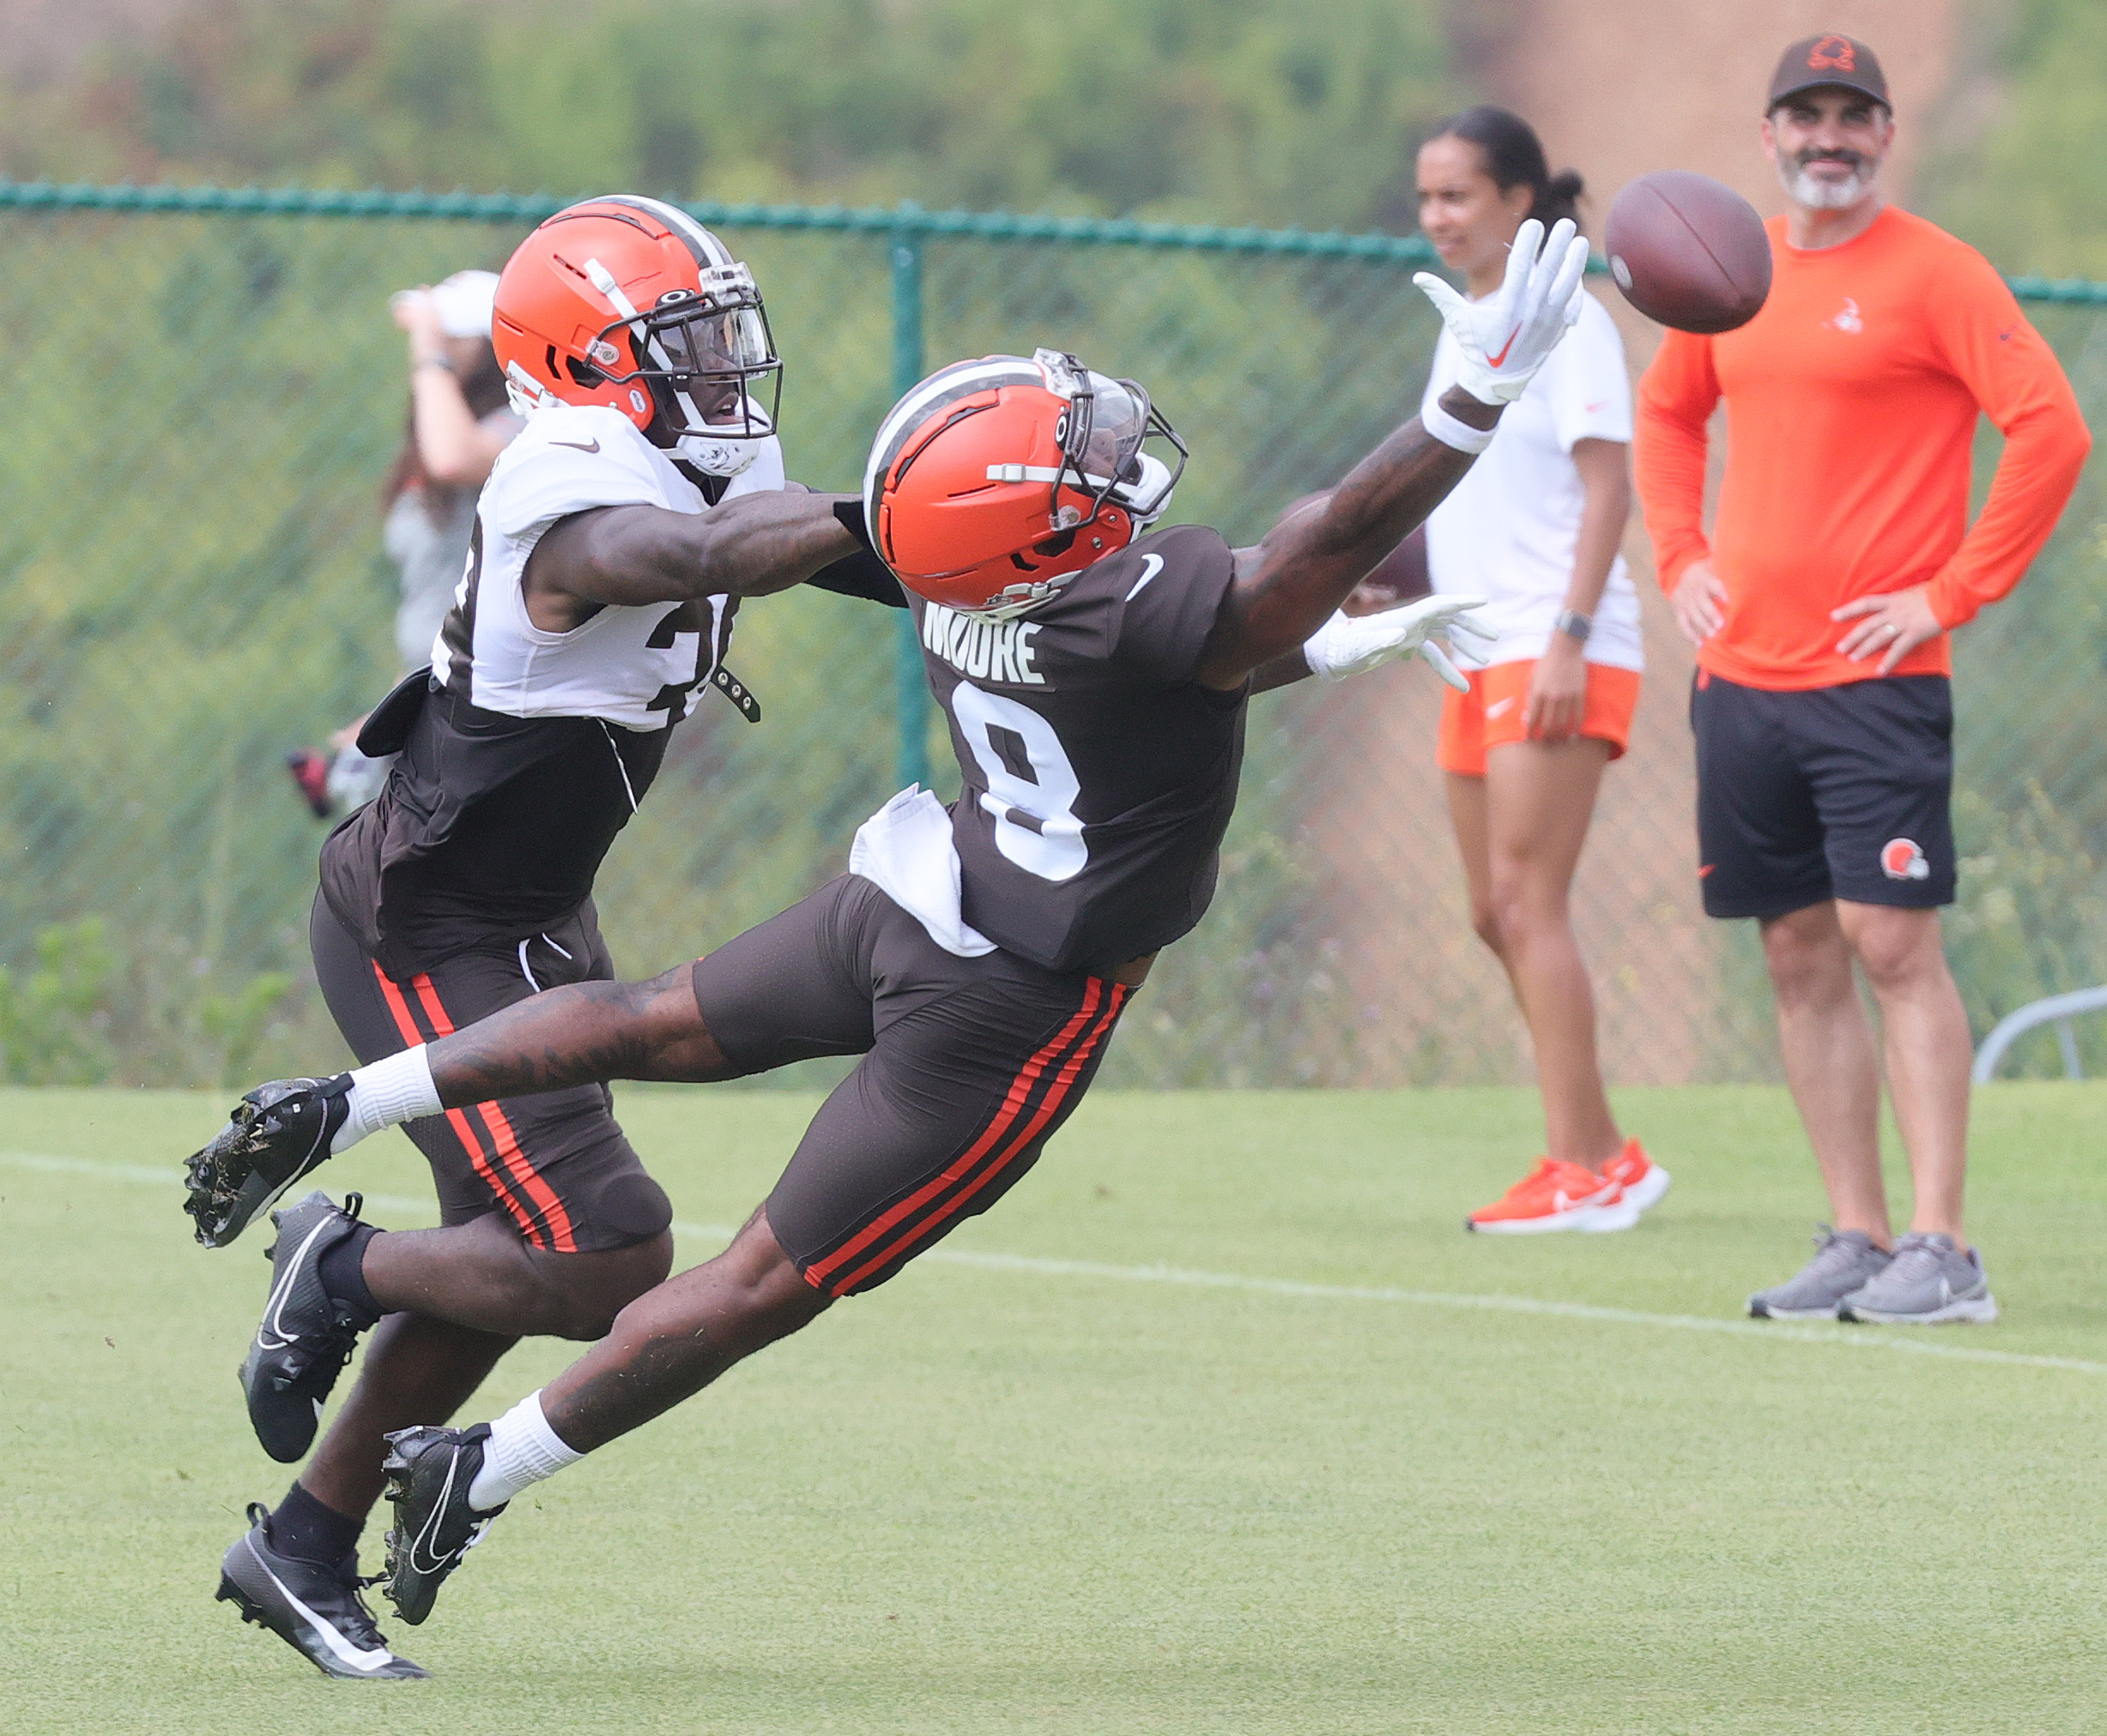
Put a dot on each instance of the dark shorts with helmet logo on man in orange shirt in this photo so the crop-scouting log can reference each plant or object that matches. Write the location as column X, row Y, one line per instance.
column 1824, row 793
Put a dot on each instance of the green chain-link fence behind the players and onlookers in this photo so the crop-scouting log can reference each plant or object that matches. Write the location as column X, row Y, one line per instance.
column 203, row 399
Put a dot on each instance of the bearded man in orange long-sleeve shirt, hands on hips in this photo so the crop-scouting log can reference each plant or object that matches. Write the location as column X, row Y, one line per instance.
column 1822, row 606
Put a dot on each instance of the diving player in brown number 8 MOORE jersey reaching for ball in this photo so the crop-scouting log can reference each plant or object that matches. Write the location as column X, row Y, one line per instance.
column 1097, row 677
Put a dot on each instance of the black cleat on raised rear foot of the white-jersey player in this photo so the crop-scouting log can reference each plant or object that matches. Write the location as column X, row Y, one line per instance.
column 307, row 1337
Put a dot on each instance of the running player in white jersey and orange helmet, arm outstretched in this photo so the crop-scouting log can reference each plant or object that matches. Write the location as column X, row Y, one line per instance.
column 614, row 542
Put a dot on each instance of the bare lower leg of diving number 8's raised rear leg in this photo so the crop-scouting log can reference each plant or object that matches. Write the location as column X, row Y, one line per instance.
column 580, row 1035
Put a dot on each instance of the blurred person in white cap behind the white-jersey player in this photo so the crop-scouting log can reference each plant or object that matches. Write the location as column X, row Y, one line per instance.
column 458, row 422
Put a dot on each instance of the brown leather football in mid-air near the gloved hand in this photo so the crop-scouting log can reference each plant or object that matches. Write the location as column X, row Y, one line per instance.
column 1689, row 252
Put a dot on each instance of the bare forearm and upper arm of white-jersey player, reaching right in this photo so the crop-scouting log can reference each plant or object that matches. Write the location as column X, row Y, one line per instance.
column 749, row 547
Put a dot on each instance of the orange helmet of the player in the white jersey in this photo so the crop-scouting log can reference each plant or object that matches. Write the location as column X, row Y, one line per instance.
column 633, row 304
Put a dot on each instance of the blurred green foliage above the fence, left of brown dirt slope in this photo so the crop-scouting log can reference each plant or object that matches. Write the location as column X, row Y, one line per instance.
column 1236, row 111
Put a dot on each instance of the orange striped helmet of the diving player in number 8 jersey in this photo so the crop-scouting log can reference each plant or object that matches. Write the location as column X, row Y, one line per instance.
column 993, row 484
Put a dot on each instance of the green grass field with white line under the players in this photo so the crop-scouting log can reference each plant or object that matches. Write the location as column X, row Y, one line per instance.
column 1084, row 1491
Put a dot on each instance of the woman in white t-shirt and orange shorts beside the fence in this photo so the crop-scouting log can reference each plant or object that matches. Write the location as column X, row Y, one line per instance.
column 1537, row 528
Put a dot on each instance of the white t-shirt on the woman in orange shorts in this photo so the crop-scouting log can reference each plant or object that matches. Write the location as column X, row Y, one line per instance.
column 1510, row 528
